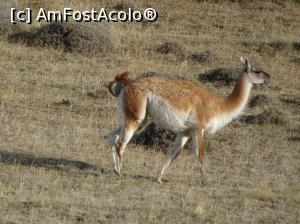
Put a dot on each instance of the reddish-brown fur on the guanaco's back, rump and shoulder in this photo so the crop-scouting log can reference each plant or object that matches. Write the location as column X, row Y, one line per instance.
column 183, row 95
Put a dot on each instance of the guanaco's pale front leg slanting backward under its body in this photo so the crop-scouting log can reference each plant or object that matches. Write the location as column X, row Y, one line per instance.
column 173, row 153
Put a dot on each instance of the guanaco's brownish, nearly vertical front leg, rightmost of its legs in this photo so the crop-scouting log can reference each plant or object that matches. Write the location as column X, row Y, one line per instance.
column 199, row 151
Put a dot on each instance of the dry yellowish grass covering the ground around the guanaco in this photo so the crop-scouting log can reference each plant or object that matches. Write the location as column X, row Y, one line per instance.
column 55, row 166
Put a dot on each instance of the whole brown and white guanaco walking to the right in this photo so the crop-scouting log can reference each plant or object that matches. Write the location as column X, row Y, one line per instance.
column 180, row 106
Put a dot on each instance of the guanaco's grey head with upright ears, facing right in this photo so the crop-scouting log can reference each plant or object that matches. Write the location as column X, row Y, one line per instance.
column 255, row 75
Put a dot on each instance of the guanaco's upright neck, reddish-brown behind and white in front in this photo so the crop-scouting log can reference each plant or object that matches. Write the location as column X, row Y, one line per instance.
column 236, row 101
